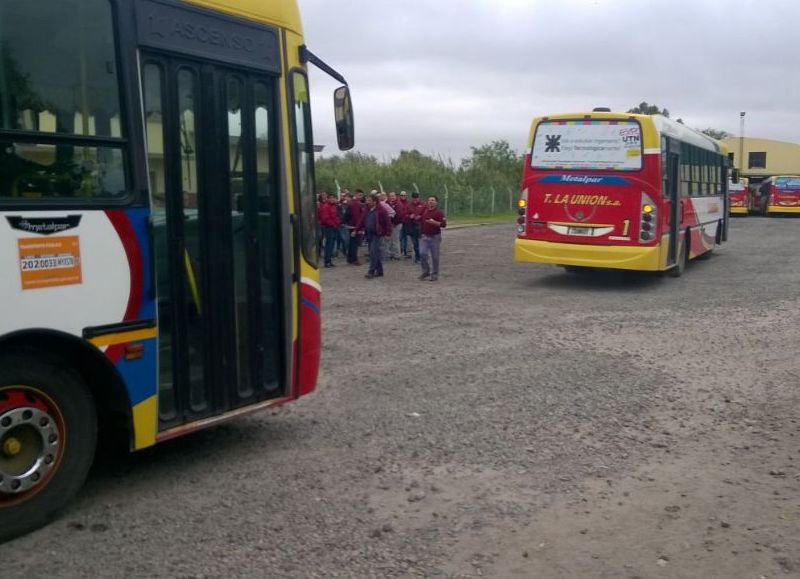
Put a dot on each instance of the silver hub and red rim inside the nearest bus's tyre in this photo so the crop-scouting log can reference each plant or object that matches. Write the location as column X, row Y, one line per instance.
column 29, row 443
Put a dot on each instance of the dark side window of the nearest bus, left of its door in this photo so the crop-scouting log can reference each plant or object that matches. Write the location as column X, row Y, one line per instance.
column 39, row 95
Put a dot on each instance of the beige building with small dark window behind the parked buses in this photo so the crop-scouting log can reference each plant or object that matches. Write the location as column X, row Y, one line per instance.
column 763, row 157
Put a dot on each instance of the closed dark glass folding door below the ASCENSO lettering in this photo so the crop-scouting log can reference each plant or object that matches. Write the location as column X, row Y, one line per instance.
column 213, row 177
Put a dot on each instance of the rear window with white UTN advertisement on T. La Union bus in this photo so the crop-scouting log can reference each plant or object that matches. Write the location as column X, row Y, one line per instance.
column 588, row 145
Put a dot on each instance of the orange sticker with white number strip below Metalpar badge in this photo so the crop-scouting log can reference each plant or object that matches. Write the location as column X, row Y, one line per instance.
column 50, row 261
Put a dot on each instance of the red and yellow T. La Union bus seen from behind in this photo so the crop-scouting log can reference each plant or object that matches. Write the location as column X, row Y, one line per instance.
column 620, row 191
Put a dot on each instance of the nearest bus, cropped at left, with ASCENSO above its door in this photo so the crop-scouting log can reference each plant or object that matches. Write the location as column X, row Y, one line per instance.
column 157, row 228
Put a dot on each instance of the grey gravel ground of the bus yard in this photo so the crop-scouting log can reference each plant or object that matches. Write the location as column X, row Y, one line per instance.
column 510, row 420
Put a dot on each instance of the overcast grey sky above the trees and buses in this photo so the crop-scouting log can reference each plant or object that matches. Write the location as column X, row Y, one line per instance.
column 443, row 75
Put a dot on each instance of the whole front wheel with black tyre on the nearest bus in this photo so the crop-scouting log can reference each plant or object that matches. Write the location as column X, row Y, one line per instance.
column 48, row 434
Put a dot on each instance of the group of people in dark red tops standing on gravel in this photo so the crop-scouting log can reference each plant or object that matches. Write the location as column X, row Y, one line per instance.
column 391, row 225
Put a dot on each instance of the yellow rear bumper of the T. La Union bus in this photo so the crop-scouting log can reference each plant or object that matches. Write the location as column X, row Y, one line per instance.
column 604, row 256
